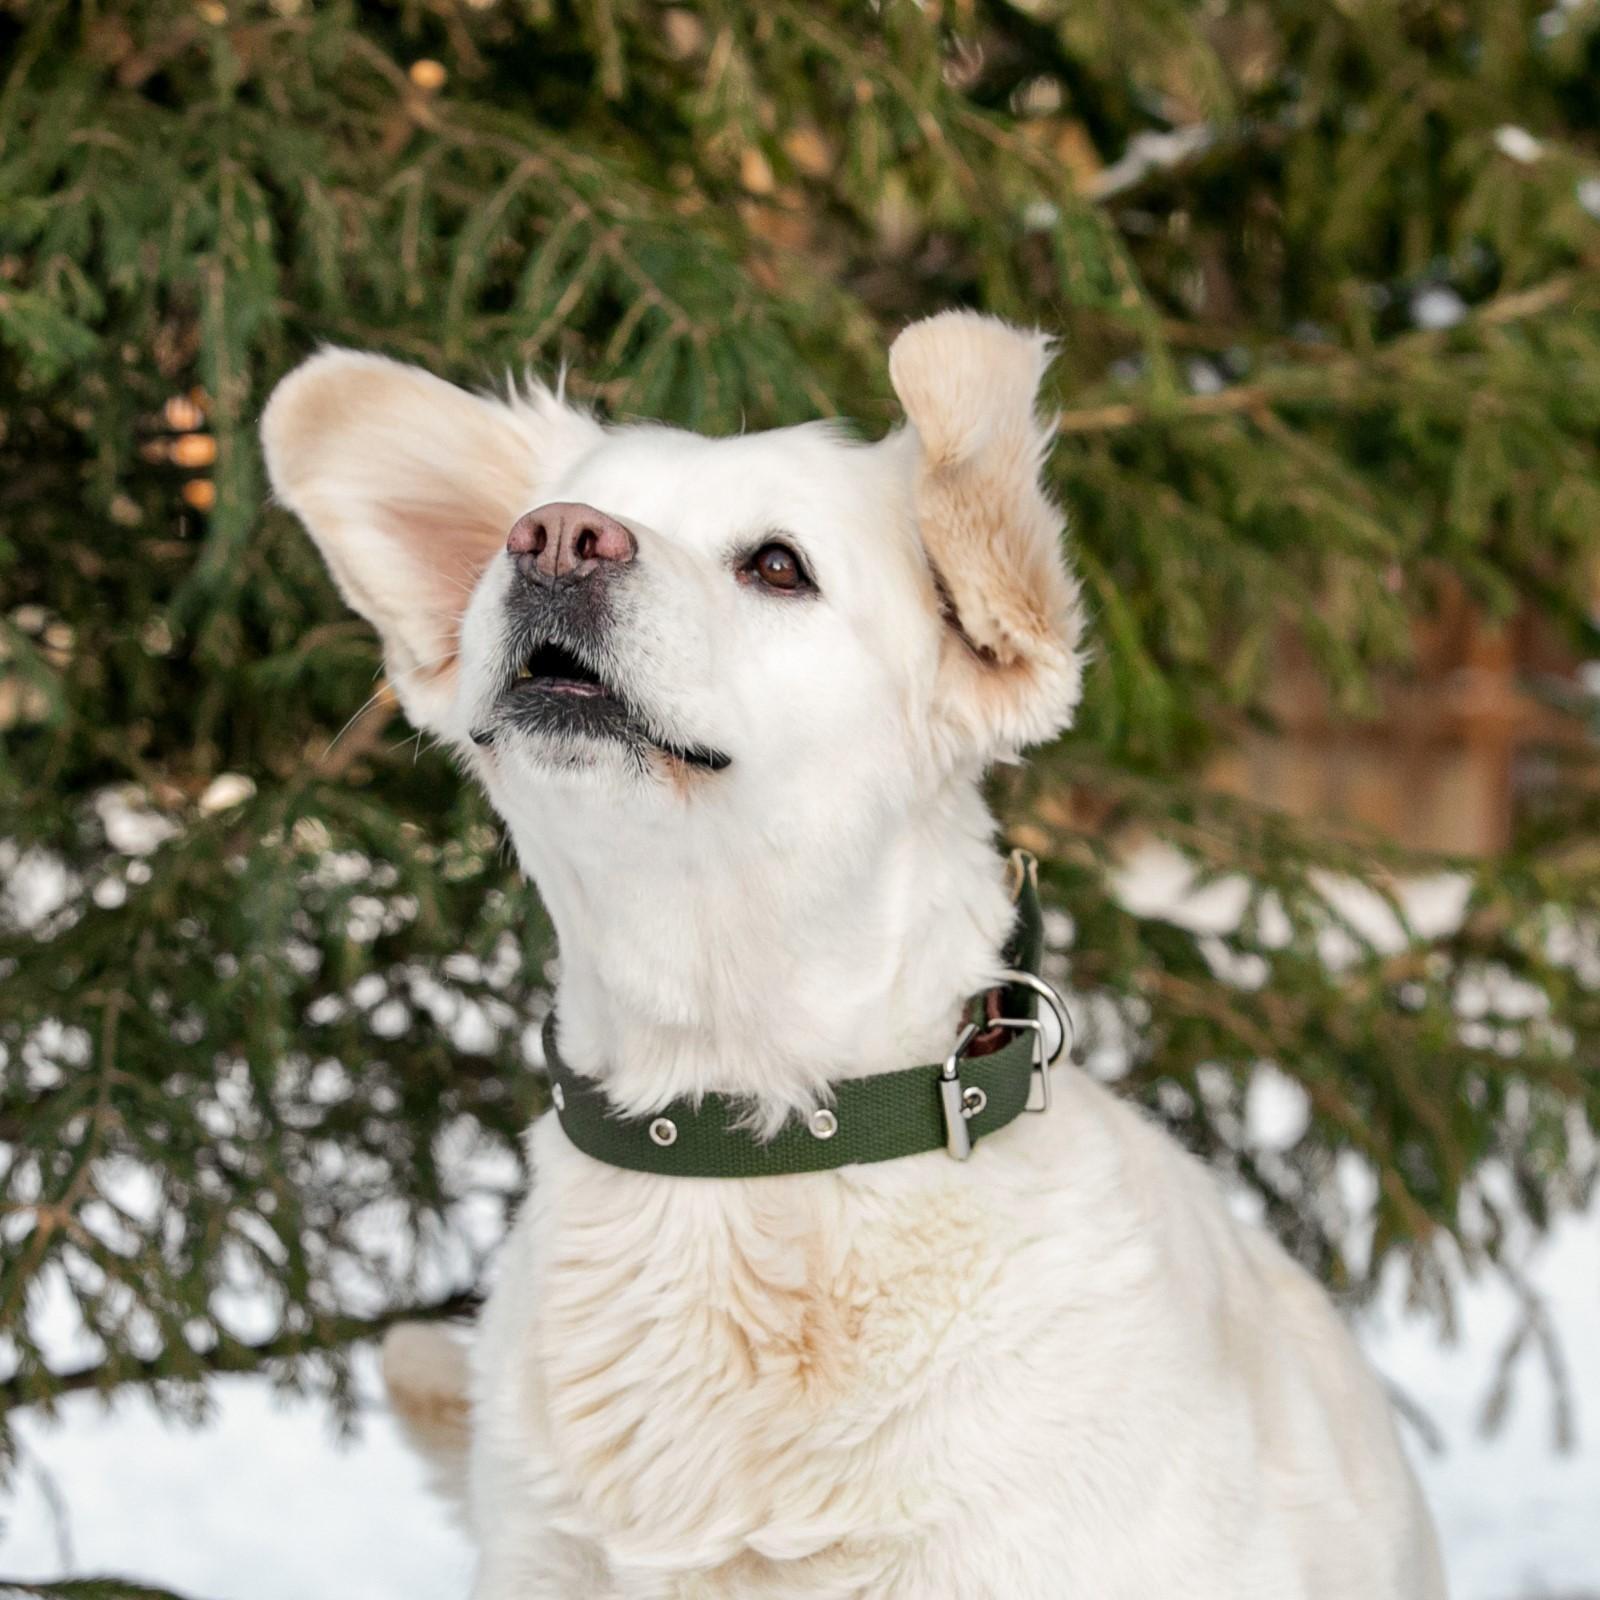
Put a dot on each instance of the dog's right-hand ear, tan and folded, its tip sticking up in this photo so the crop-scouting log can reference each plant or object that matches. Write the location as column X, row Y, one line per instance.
column 1010, row 671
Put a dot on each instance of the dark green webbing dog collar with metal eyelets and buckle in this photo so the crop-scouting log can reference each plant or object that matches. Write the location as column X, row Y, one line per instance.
column 996, row 1073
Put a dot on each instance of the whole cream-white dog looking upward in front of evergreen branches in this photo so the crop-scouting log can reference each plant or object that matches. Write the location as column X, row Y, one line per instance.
column 734, row 700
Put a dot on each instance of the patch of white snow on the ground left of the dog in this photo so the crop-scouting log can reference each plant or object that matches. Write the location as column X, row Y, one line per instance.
column 263, row 1503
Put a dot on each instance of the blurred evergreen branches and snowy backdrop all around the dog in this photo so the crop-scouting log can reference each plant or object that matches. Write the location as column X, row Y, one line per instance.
column 1322, row 854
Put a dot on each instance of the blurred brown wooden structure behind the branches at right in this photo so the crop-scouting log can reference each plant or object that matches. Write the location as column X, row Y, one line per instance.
column 1454, row 753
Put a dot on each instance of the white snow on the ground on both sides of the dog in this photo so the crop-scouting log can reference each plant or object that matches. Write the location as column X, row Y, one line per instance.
column 266, row 1503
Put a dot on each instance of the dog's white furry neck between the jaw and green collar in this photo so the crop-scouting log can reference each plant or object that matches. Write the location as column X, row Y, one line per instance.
column 689, row 966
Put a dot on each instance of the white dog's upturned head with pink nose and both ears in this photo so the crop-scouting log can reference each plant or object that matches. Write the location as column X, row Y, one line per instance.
column 662, row 620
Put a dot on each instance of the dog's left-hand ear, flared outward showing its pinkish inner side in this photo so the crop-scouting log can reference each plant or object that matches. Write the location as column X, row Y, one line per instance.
column 410, row 486
